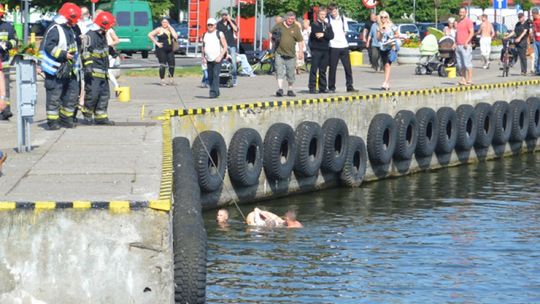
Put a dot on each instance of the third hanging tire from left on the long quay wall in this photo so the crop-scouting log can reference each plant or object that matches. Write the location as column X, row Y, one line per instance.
column 279, row 151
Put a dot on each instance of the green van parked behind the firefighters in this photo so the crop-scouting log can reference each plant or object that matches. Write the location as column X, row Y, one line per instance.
column 133, row 23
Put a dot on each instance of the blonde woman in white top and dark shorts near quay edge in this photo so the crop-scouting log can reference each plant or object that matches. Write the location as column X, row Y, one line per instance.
column 387, row 35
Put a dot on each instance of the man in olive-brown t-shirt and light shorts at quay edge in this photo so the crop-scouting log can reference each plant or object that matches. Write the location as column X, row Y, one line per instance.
column 286, row 55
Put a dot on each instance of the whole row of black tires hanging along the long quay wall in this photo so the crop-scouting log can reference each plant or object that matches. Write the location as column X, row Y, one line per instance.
column 329, row 147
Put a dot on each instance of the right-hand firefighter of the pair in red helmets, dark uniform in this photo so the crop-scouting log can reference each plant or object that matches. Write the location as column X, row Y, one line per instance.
column 95, row 67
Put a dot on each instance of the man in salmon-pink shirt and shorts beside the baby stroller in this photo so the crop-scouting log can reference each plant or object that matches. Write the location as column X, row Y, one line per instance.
column 464, row 35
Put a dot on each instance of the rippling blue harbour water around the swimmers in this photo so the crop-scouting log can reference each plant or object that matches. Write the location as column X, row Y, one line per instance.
column 468, row 234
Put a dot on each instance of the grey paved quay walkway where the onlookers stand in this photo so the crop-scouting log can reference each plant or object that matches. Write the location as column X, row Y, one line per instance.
column 124, row 162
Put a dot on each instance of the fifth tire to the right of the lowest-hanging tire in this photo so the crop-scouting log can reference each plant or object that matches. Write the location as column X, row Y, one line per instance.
column 466, row 127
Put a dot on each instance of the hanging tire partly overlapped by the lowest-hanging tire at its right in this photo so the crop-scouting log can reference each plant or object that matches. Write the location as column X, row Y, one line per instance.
column 336, row 139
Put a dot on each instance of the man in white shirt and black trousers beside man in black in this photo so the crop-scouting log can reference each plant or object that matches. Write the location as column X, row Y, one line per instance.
column 339, row 50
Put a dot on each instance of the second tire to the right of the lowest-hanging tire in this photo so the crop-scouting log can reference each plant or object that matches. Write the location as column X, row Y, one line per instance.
column 407, row 135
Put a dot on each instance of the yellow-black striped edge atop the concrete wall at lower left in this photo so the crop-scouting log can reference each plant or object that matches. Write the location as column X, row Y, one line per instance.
column 113, row 206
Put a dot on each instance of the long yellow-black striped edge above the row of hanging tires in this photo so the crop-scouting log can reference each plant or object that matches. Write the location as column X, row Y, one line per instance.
column 337, row 99
